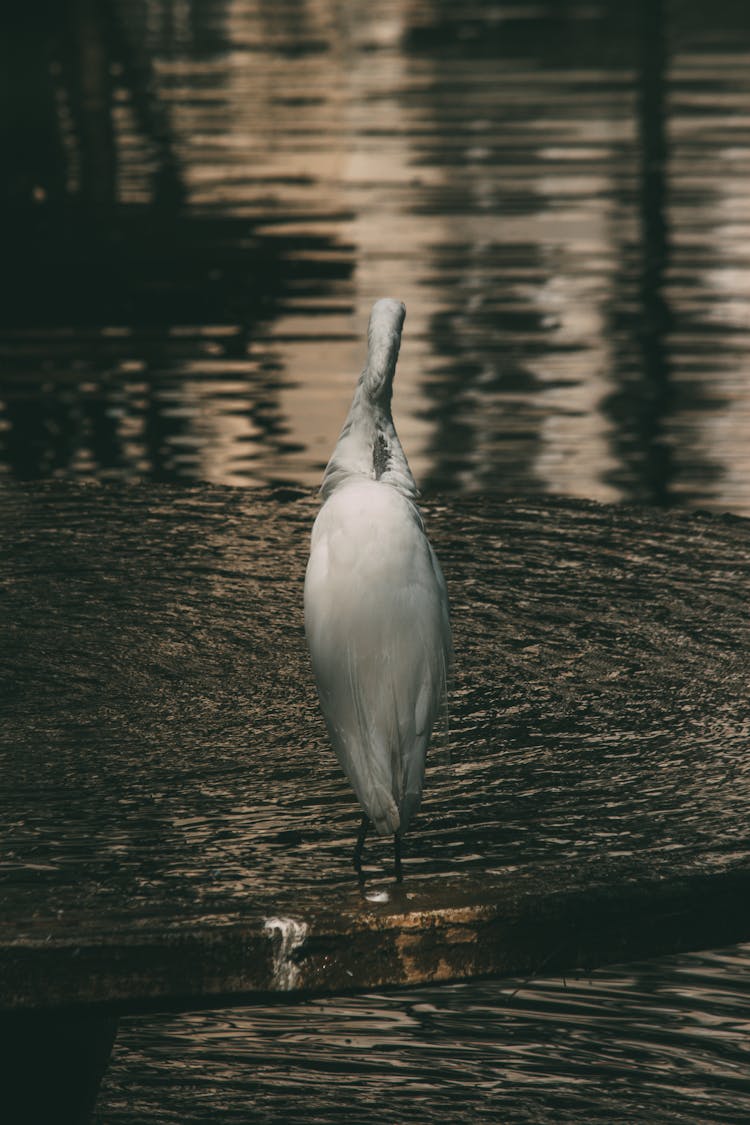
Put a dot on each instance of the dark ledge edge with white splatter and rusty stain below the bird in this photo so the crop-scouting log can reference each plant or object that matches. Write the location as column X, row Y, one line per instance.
column 516, row 931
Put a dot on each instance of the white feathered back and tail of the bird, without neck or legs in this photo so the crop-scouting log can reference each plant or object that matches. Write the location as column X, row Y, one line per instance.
column 376, row 613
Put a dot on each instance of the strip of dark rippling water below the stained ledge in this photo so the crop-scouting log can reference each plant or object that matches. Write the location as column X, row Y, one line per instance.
column 652, row 1043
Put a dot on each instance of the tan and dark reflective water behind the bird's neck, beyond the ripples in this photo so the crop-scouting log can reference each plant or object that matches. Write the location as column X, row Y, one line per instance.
column 205, row 197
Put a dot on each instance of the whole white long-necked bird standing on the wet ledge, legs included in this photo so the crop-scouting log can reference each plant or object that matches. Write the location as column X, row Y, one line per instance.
column 376, row 605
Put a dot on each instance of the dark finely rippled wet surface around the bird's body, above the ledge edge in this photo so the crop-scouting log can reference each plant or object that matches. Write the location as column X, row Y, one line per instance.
column 168, row 781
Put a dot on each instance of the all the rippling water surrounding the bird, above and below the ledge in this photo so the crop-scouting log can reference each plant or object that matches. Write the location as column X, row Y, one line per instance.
column 201, row 202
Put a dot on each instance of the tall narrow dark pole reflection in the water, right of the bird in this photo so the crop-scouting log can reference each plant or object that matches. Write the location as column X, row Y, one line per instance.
column 657, row 469
